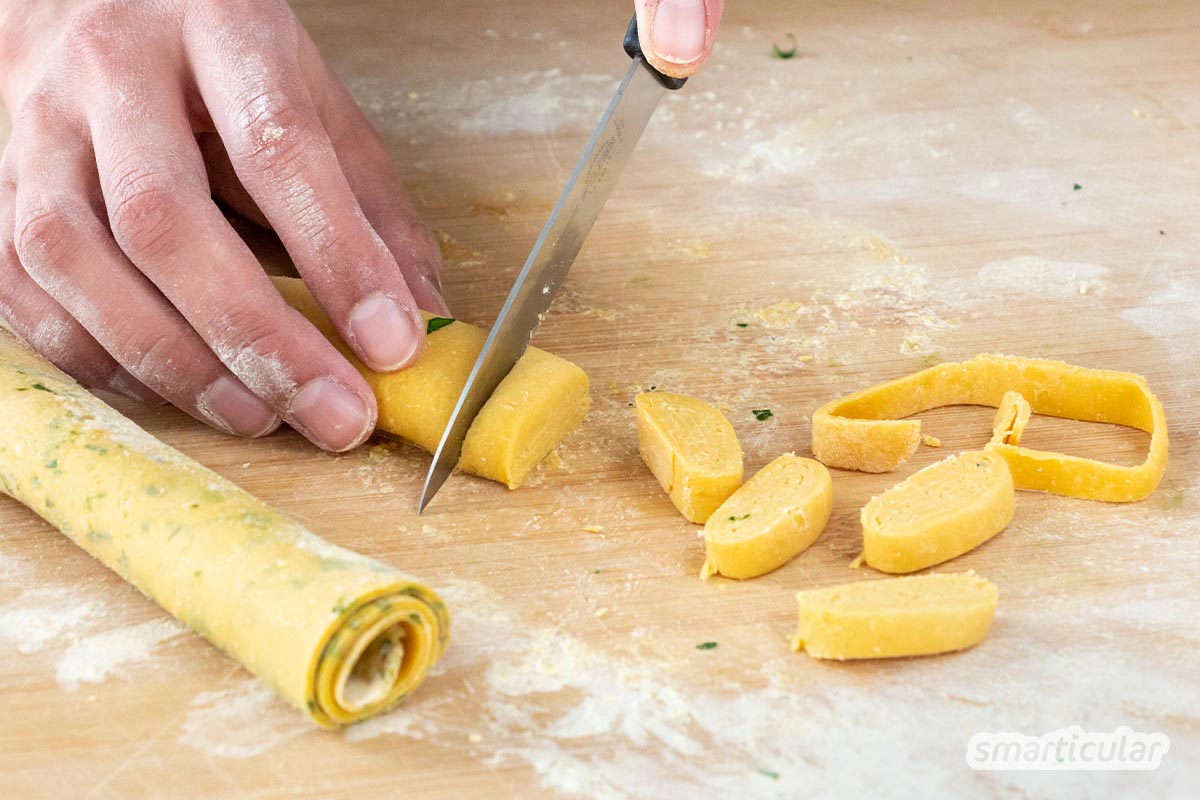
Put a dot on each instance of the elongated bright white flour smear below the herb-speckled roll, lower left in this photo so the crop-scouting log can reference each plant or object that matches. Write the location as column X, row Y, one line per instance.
column 97, row 658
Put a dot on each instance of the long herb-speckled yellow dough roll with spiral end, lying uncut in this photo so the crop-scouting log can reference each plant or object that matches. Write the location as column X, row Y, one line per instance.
column 338, row 634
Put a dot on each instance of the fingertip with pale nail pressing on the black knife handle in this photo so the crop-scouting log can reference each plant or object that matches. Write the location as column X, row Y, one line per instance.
column 677, row 37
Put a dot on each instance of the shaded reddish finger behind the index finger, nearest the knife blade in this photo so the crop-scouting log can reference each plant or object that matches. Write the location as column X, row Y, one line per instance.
column 373, row 178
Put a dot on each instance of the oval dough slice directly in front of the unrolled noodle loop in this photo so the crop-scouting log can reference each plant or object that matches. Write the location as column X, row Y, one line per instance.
column 938, row 514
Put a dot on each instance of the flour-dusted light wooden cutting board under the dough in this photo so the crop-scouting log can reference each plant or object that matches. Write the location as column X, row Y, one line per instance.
column 923, row 182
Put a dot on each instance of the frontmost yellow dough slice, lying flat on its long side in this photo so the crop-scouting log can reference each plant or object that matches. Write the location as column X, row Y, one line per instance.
column 913, row 616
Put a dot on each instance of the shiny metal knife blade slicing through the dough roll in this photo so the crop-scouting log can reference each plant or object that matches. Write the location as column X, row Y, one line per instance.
column 551, row 258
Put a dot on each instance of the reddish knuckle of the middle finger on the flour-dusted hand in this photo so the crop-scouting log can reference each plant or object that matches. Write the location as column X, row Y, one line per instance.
column 143, row 210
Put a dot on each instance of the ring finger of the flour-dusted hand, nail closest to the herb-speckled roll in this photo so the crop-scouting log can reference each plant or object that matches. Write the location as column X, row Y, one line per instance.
column 69, row 252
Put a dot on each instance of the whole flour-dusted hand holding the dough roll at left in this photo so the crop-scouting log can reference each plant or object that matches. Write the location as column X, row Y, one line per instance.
column 117, row 263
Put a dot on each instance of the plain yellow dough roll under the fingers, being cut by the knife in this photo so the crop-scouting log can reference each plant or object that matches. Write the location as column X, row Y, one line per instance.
column 538, row 404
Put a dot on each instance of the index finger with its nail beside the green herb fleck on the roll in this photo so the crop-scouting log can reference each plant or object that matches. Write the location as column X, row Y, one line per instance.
column 285, row 159
